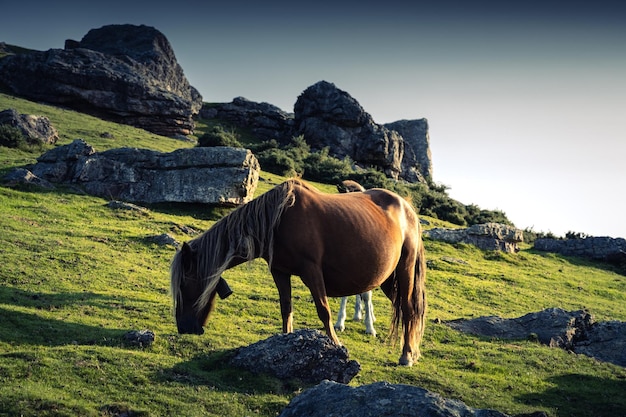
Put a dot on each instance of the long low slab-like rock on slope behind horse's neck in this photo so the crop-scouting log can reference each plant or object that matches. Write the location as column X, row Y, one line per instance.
column 217, row 175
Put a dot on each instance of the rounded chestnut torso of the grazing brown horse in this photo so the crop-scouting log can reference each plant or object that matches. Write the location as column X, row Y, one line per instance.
column 356, row 238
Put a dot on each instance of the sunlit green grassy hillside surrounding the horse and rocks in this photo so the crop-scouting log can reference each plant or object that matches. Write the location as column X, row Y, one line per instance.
column 77, row 275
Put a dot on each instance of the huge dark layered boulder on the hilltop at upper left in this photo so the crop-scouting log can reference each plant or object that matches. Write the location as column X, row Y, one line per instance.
column 123, row 73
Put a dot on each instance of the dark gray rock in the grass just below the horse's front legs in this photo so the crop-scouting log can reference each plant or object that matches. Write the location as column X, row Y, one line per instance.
column 312, row 357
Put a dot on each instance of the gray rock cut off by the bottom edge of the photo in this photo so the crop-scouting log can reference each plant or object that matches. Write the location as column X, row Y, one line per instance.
column 379, row 399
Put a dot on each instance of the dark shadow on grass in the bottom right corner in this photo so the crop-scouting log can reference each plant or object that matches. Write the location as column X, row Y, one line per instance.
column 576, row 395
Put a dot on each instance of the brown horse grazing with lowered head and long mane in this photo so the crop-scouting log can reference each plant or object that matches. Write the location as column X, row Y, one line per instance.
column 338, row 244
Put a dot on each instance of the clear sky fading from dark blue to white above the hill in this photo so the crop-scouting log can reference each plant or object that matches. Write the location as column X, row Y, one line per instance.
column 526, row 101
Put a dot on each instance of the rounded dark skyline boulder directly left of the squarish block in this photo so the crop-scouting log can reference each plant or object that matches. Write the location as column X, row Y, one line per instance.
column 330, row 117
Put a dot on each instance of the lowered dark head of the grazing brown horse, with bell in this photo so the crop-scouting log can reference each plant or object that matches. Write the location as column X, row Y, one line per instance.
column 193, row 293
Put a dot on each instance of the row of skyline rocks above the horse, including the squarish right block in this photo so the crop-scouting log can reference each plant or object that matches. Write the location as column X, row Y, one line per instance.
column 330, row 118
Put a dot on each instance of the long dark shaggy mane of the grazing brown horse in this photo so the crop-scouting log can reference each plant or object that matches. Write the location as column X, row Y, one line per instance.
column 247, row 232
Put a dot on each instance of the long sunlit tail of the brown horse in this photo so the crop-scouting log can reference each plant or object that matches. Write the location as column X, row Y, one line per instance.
column 417, row 303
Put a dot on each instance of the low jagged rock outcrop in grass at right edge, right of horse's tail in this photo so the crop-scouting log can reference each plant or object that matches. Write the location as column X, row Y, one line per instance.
column 575, row 331
